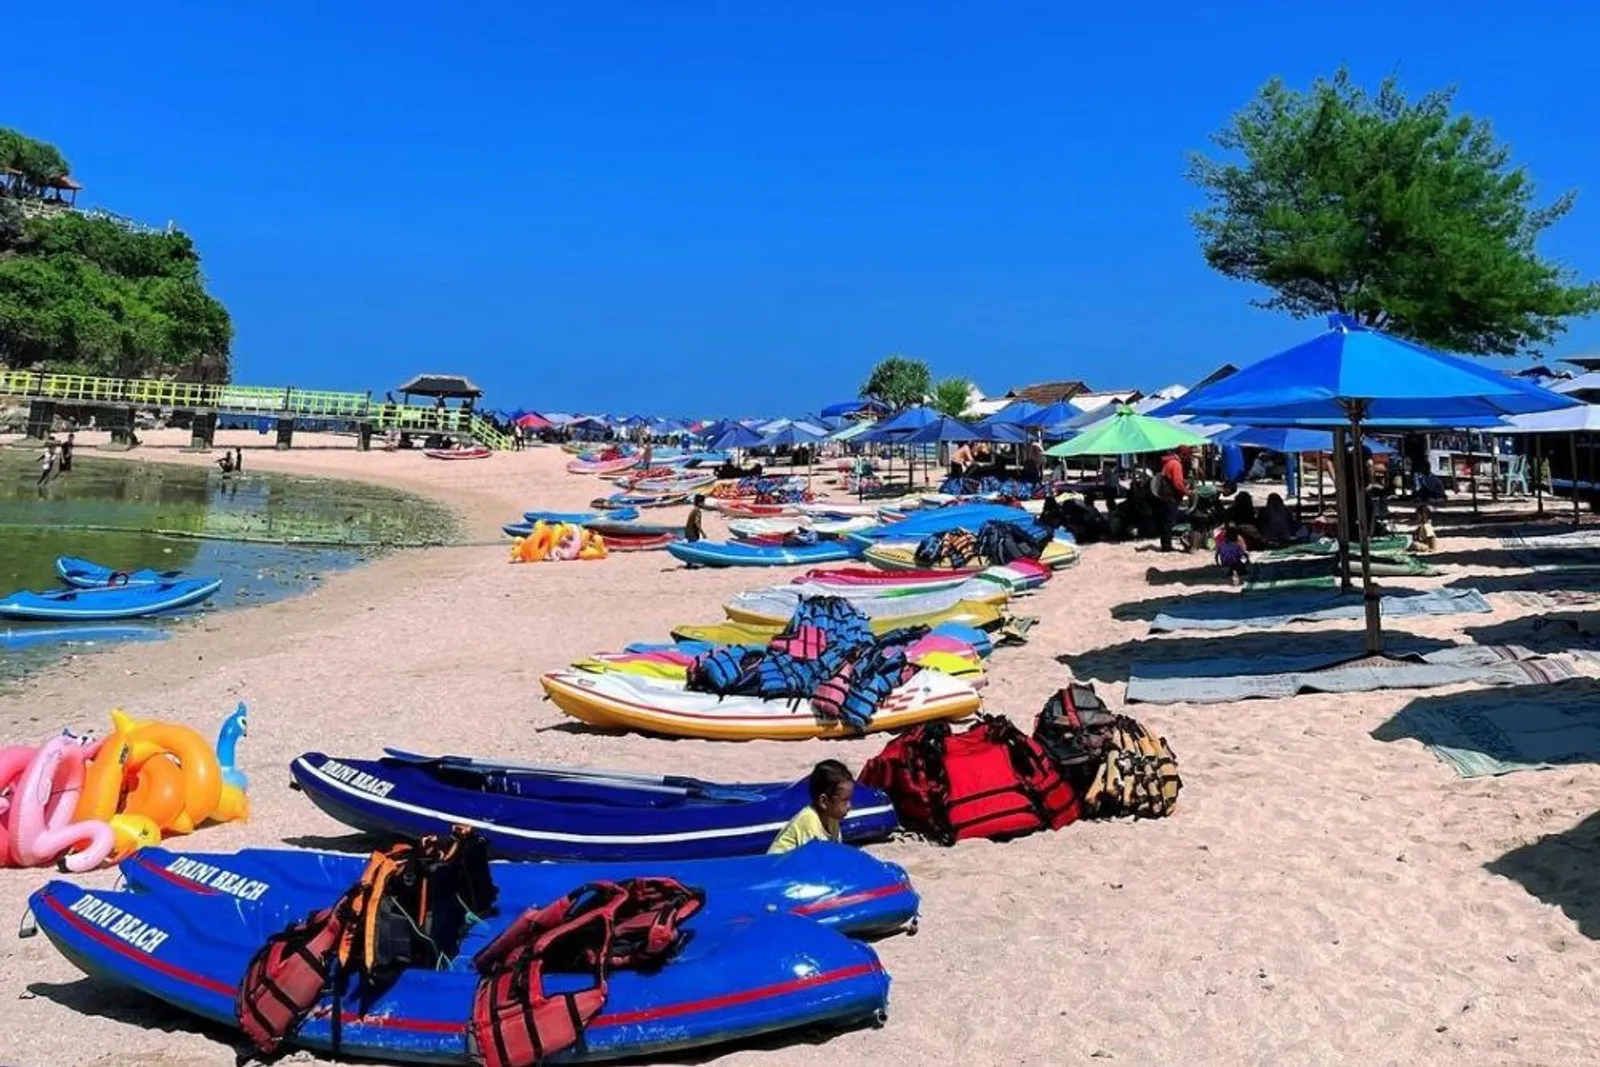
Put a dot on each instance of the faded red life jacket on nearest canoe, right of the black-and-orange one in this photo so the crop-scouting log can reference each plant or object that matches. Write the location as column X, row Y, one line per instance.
column 593, row 930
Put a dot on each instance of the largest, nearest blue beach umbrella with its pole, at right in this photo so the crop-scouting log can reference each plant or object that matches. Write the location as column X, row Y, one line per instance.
column 1366, row 378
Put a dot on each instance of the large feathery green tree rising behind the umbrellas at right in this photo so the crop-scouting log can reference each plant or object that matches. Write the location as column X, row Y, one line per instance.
column 1398, row 212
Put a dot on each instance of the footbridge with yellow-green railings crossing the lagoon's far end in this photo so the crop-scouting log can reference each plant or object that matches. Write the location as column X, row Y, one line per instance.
column 122, row 396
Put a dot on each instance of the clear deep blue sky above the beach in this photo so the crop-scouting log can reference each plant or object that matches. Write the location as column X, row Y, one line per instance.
column 738, row 207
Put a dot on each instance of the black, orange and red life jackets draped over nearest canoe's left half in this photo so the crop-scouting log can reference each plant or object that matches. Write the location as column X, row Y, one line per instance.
column 407, row 906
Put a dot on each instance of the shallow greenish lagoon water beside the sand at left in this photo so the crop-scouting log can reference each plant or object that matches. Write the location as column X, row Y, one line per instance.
column 266, row 537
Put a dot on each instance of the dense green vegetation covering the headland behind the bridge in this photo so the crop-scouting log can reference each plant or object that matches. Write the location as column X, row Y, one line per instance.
column 94, row 297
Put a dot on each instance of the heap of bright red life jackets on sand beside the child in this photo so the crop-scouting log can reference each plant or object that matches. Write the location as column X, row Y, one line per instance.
column 988, row 781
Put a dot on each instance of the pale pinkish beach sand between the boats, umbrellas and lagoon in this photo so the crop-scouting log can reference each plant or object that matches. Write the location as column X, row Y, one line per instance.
column 1319, row 898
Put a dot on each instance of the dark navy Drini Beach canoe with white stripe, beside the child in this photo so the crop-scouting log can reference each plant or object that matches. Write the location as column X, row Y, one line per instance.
column 556, row 813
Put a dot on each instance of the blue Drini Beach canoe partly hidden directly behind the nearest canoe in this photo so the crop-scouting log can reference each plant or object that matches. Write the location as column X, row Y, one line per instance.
column 834, row 885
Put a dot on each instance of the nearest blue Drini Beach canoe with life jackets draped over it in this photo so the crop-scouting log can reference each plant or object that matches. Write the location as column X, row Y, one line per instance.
column 737, row 978
